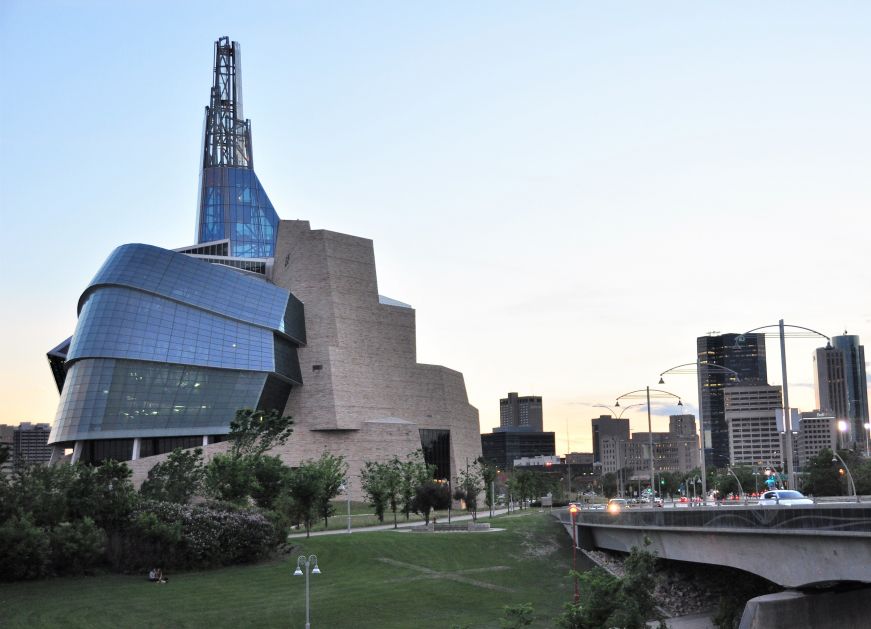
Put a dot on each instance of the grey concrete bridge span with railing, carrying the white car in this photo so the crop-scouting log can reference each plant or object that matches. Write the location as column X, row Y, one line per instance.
column 791, row 546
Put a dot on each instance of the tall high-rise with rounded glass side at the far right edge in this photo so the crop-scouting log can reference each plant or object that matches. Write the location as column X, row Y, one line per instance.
column 841, row 385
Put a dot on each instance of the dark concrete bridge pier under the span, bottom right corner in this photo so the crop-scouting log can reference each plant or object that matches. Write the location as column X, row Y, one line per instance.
column 810, row 610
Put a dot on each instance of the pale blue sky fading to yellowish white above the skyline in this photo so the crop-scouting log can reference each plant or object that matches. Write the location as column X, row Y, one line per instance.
column 568, row 193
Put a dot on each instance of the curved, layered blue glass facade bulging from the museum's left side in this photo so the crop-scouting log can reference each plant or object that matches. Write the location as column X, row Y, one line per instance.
column 168, row 346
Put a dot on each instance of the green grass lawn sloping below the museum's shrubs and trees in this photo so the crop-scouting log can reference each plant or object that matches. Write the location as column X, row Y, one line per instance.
column 379, row 579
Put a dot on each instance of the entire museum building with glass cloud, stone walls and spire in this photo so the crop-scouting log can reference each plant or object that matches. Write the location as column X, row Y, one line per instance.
column 259, row 313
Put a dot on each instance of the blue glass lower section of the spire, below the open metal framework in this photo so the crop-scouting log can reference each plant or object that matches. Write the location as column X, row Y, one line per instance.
column 234, row 206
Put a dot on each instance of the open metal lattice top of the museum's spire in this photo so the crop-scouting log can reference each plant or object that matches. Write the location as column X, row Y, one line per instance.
column 227, row 138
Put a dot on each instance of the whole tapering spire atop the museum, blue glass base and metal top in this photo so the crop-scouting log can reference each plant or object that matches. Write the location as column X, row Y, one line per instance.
column 233, row 205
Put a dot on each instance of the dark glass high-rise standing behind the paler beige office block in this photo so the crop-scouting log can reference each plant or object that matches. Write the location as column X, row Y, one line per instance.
column 741, row 353
